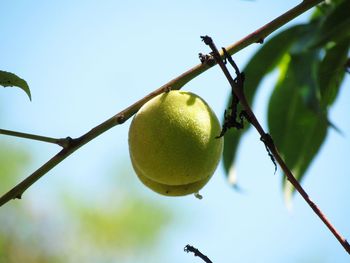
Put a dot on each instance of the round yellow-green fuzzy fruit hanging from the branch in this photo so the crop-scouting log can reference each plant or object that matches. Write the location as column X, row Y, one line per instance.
column 173, row 145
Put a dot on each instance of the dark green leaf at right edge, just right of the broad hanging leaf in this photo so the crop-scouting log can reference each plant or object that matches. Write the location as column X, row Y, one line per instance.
column 331, row 72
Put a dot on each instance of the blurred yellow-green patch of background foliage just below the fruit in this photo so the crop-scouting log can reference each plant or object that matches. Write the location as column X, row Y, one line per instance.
column 133, row 223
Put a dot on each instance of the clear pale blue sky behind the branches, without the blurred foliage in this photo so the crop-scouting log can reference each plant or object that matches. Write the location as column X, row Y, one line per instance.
column 87, row 60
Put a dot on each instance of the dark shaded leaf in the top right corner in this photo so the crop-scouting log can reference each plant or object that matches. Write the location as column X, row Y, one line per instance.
column 335, row 26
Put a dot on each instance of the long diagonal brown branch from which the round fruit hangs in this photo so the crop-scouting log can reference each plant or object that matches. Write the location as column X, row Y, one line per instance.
column 175, row 84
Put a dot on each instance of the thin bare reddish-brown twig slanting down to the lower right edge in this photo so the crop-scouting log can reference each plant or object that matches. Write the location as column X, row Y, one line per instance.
column 266, row 138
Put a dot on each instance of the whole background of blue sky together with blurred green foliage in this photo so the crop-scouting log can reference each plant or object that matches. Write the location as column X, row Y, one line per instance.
column 87, row 60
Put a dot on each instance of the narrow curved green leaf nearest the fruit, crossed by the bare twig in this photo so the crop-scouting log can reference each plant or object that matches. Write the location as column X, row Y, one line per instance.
column 264, row 61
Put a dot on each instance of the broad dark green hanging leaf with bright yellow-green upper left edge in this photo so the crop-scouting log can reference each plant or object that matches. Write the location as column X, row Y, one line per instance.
column 296, row 128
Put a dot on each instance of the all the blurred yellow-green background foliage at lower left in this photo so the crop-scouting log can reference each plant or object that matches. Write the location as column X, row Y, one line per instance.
column 122, row 230
